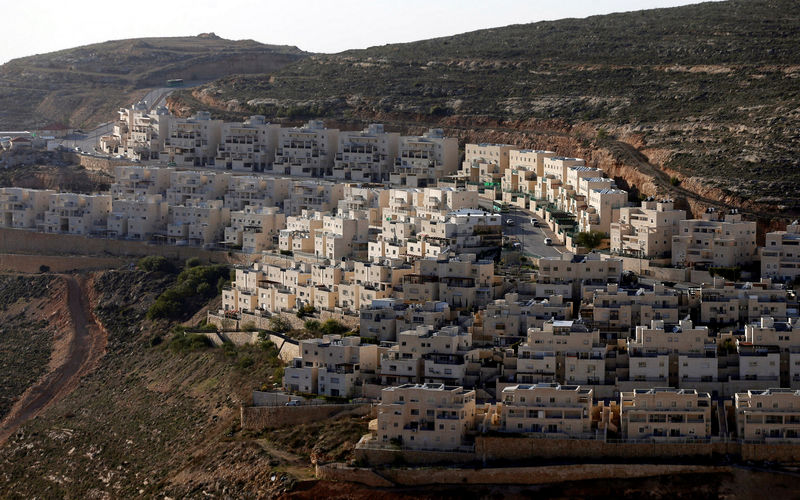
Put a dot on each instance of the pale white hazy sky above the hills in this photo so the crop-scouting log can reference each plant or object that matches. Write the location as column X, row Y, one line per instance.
column 313, row 25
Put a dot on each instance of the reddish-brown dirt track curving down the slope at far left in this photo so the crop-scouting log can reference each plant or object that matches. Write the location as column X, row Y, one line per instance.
column 85, row 346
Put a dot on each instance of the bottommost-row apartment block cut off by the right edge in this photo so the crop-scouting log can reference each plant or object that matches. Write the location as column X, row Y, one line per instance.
column 771, row 415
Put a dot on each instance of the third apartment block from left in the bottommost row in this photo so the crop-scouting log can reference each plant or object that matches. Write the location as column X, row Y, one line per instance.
column 664, row 414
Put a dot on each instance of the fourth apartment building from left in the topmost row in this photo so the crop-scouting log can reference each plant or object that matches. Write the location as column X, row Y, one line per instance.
column 306, row 151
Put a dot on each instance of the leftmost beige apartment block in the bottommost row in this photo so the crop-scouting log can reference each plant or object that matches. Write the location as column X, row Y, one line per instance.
column 426, row 416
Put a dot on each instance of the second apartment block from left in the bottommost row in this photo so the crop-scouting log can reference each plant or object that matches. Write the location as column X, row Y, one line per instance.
column 546, row 408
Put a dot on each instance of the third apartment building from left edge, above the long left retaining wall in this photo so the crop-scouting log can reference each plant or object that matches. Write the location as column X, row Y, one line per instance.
column 138, row 219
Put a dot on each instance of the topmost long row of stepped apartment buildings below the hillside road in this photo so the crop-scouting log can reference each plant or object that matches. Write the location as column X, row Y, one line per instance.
column 255, row 145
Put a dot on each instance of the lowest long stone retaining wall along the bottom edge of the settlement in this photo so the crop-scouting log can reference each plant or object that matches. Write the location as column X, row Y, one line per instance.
column 507, row 475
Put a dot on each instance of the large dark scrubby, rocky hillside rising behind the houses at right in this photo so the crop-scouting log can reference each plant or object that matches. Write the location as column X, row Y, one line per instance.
column 708, row 93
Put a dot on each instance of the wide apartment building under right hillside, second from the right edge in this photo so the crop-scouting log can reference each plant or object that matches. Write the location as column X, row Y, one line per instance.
column 716, row 240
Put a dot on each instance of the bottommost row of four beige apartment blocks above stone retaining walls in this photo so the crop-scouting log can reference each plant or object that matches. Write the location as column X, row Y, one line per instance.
column 445, row 417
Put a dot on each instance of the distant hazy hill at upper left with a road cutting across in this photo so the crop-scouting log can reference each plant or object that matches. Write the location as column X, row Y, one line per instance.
column 83, row 86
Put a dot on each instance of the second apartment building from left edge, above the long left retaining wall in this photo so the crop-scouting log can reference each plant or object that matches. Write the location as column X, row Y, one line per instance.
column 77, row 213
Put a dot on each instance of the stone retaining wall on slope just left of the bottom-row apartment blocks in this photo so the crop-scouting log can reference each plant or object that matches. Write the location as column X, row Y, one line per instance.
column 264, row 417
